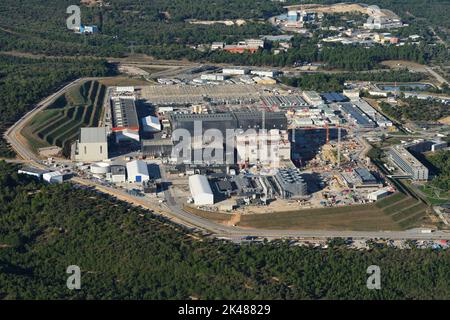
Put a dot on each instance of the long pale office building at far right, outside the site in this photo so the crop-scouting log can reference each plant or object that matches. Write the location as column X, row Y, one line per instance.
column 408, row 163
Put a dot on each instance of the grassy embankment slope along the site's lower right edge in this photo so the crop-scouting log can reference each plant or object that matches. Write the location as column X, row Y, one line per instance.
column 397, row 212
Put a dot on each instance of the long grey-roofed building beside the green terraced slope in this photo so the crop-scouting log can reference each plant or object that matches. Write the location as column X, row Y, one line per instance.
column 125, row 119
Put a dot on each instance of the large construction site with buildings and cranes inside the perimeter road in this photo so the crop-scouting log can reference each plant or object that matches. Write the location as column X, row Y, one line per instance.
column 291, row 153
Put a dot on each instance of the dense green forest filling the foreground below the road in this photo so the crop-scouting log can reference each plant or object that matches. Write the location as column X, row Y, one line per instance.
column 129, row 253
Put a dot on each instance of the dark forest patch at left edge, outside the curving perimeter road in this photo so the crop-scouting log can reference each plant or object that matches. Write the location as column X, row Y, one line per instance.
column 24, row 82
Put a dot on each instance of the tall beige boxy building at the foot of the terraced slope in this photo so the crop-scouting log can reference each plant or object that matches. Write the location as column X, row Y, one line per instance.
column 92, row 145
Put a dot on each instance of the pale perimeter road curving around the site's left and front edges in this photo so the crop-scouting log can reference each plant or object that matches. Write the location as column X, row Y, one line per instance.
column 174, row 211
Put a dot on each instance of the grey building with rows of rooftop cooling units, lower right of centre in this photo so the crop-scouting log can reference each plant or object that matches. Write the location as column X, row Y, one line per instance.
column 290, row 184
